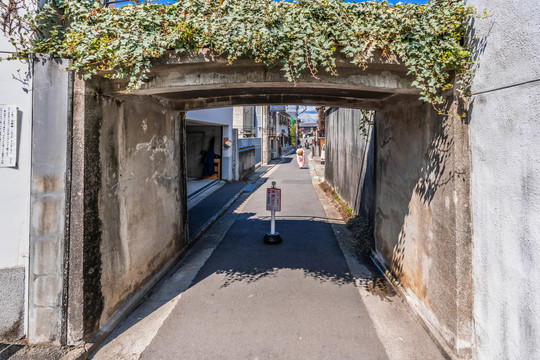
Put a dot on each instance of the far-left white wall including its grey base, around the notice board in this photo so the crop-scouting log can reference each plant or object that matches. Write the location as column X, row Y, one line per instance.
column 16, row 81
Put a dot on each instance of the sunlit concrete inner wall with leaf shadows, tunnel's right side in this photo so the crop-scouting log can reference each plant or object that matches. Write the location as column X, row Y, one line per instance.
column 422, row 223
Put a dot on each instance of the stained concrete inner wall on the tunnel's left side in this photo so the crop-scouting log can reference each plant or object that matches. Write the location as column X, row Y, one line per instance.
column 128, row 206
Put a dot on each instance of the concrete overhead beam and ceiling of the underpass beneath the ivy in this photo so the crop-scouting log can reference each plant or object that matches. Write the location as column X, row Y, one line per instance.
column 202, row 80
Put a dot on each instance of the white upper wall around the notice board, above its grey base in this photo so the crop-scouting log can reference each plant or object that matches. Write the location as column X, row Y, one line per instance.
column 15, row 182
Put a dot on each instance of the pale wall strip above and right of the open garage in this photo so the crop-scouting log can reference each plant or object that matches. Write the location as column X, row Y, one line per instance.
column 223, row 117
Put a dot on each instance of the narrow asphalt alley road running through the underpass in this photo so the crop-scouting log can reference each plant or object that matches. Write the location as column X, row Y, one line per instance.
column 248, row 300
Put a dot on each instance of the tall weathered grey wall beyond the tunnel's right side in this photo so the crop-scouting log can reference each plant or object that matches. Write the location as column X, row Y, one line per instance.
column 350, row 160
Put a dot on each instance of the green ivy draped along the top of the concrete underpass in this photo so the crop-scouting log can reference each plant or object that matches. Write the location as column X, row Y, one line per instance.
column 300, row 36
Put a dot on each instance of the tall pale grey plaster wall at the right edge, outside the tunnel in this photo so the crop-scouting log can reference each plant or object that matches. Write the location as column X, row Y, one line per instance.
column 505, row 146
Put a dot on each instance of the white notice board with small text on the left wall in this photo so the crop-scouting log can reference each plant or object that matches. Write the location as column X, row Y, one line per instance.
column 8, row 135
